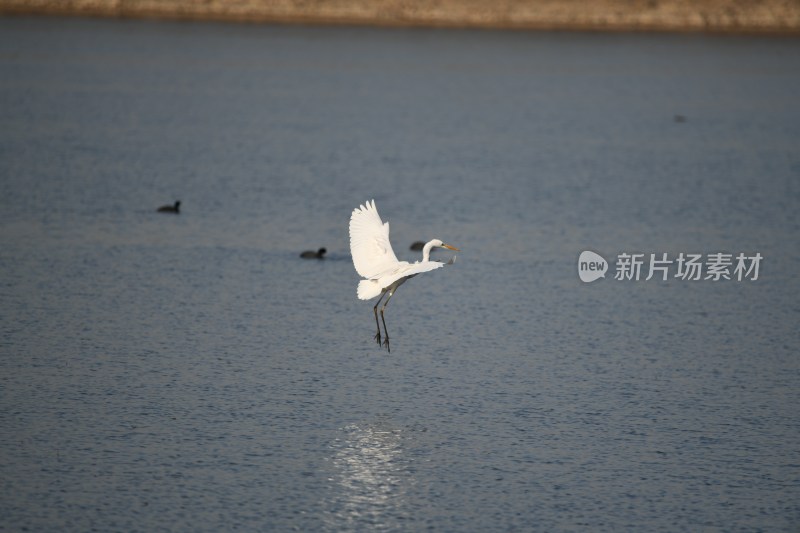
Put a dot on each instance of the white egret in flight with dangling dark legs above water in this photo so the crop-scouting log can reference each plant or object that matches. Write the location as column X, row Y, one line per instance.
column 374, row 259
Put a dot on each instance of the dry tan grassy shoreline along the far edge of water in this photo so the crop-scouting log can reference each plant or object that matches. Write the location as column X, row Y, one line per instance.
column 732, row 16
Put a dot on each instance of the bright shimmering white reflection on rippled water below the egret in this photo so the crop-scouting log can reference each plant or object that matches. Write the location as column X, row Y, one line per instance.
column 373, row 477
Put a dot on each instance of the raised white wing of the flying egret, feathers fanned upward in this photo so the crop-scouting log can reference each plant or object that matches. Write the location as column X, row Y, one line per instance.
column 369, row 242
